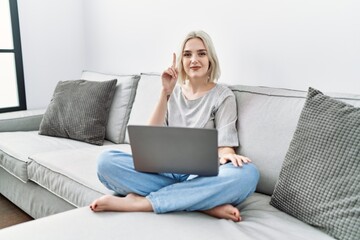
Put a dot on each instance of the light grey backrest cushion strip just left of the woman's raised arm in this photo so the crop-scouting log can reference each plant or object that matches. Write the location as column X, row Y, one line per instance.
column 147, row 95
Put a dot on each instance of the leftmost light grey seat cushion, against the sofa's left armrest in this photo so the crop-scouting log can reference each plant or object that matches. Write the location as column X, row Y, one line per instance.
column 15, row 147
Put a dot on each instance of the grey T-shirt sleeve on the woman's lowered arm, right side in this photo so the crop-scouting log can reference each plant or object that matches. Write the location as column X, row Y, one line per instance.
column 225, row 122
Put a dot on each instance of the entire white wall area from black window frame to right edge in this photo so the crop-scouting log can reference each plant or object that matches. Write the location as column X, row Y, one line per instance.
column 279, row 43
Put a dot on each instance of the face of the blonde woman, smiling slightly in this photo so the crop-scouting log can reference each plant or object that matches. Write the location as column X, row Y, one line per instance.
column 195, row 59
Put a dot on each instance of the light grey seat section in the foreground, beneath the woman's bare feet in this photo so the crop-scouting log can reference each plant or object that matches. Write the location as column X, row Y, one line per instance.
column 261, row 221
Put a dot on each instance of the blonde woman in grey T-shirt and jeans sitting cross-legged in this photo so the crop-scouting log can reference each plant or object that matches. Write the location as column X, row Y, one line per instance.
column 196, row 101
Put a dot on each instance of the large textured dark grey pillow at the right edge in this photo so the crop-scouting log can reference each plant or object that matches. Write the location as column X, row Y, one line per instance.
column 319, row 182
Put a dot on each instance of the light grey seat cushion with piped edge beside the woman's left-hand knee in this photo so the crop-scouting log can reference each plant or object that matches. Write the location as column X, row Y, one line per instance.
column 71, row 174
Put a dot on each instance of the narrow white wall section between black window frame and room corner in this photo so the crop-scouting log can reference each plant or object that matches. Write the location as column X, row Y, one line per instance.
column 52, row 39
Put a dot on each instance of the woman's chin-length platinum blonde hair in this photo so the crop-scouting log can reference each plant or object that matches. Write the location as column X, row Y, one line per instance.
column 214, row 68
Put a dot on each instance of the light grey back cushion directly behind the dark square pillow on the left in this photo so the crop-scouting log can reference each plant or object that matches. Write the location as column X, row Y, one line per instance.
column 121, row 104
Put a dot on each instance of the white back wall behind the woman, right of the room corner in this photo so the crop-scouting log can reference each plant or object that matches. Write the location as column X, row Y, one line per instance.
column 280, row 43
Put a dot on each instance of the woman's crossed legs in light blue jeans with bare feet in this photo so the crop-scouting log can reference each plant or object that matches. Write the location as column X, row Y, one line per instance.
column 162, row 193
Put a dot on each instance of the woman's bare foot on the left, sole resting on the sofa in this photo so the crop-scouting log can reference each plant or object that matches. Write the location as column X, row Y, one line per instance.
column 131, row 203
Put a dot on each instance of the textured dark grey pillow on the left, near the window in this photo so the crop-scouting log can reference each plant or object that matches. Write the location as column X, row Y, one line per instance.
column 79, row 110
